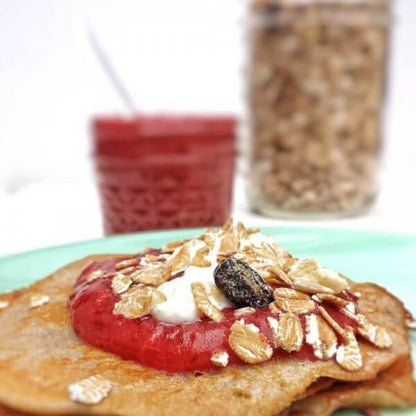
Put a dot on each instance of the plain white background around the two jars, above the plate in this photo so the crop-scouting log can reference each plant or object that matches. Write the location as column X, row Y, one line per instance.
column 175, row 57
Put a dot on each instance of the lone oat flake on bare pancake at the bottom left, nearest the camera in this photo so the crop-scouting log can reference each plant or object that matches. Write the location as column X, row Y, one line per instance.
column 91, row 390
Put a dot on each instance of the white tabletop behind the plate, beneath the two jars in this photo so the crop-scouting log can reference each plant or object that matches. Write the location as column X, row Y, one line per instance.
column 50, row 213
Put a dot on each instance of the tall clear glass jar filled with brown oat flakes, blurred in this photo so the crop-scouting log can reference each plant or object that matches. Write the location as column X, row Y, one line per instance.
column 316, row 87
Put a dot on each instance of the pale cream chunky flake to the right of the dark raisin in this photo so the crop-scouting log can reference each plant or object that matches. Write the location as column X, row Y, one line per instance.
column 311, row 270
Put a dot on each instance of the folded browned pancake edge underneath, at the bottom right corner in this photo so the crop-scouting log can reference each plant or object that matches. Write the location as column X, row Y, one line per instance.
column 392, row 388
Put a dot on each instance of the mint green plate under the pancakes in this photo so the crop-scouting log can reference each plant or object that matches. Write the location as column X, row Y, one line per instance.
column 385, row 258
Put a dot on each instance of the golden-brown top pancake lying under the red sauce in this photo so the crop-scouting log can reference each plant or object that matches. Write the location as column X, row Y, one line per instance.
column 40, row 356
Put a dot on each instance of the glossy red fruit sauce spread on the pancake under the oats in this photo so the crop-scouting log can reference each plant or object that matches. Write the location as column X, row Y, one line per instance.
column 164, row 346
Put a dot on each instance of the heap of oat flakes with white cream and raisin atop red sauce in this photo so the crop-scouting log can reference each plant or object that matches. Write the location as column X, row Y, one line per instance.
column 242, row 269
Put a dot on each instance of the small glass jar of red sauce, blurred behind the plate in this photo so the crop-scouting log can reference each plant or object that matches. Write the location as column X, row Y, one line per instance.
column 160, row 172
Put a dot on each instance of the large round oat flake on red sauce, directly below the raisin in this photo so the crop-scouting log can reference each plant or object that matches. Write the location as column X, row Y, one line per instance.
column 249, row 344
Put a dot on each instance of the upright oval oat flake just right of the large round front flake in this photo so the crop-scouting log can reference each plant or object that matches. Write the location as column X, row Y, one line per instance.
column 290, row 333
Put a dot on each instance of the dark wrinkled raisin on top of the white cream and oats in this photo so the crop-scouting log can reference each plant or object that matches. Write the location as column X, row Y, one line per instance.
column 241, row 284
